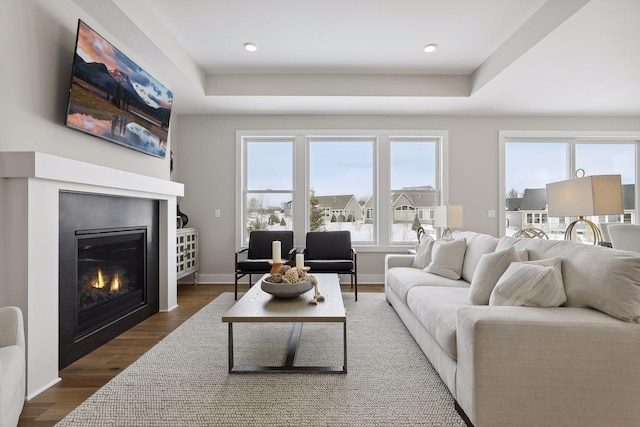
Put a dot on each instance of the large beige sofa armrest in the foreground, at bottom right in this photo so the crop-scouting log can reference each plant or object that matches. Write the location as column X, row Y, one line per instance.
column 547, row 366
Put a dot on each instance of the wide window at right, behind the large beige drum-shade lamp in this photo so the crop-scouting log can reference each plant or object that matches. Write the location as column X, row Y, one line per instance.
column 531, row 163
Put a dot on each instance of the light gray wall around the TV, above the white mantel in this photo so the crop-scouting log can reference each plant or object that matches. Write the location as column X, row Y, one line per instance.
column 37, row 38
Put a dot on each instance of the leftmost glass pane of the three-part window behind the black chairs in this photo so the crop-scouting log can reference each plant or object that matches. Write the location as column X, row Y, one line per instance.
column 269, row 186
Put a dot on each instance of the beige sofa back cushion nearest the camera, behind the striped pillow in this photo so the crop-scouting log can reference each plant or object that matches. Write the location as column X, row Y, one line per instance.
column 594, row 276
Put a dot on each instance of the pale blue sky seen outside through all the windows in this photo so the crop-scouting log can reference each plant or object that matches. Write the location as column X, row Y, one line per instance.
column 339, row 168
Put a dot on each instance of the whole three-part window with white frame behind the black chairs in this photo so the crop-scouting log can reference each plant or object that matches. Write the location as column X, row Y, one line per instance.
column 378, row 186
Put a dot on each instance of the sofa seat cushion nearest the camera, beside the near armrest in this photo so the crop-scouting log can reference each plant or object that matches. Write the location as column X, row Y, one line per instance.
column 436, row 308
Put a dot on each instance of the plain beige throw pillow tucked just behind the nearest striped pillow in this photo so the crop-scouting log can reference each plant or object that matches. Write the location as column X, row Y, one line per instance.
column 490, row 268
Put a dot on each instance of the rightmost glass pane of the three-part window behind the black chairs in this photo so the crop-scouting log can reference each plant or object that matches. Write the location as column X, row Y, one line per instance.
column 414, row 188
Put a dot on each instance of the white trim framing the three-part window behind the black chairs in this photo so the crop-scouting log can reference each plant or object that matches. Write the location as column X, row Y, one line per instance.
column 381, row 184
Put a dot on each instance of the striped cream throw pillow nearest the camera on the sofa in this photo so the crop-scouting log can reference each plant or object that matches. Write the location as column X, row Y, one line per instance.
column 531, row 284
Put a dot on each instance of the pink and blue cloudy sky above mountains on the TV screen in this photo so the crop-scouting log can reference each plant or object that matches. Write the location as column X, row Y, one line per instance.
column 91, row 47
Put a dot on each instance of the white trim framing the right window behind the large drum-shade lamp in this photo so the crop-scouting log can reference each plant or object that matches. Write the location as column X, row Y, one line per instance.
column 505, row 136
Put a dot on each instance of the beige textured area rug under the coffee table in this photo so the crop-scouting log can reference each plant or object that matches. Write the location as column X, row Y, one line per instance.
column 183, row 380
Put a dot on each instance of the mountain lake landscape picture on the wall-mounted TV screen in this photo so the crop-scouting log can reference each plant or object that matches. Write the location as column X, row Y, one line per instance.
column 113, row 98
